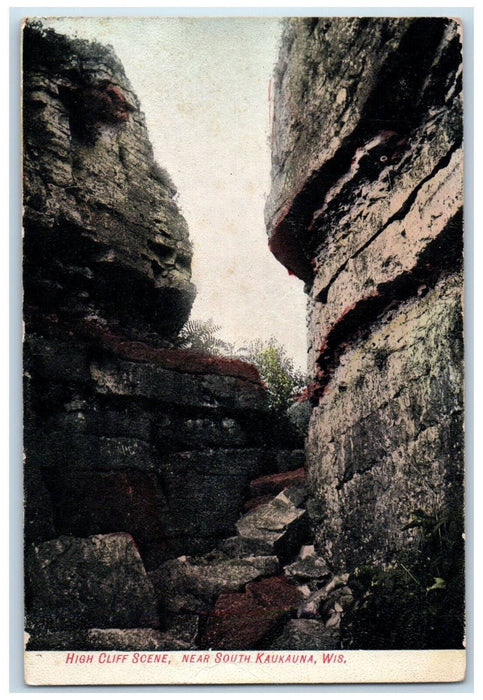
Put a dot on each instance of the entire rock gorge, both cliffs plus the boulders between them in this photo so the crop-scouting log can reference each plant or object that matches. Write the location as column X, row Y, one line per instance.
column 163, row 505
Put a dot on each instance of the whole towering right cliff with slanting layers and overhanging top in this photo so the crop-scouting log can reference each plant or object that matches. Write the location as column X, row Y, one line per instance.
column 366, row 208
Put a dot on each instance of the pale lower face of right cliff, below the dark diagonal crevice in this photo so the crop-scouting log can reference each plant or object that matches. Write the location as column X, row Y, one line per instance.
column 391, row 447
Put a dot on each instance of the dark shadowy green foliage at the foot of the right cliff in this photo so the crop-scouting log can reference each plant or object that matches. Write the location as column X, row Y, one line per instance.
column 423, row 591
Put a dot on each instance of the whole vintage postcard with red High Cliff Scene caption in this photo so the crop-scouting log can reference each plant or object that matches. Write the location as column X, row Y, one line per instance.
column 243, row 350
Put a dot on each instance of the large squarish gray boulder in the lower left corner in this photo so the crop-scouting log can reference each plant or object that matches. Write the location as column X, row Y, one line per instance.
column 78, row 583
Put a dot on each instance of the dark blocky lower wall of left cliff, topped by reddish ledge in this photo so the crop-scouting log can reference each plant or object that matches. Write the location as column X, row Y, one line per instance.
column 115, row 443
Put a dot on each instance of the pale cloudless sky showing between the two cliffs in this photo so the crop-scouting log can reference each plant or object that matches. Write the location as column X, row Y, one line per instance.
column 203, row 84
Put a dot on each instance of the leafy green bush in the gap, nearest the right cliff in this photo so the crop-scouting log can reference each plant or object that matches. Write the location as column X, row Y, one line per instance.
column 277, row 370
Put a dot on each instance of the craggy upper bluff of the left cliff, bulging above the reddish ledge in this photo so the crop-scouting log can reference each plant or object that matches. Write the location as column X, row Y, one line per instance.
column 103, row 235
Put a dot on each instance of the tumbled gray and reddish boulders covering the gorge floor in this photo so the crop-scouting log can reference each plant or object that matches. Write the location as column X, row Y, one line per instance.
column 265, row 587
